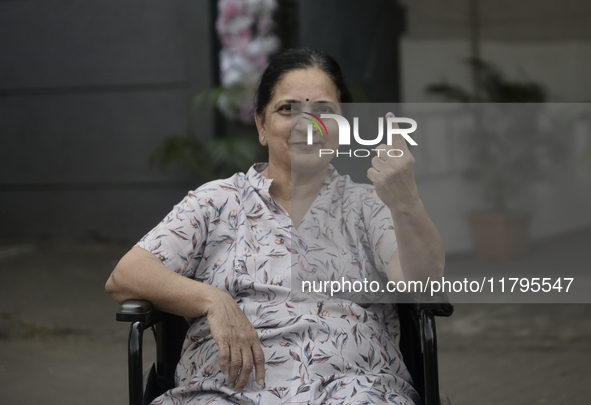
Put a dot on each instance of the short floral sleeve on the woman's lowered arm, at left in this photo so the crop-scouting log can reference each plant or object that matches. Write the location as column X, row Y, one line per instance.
column 180, row 238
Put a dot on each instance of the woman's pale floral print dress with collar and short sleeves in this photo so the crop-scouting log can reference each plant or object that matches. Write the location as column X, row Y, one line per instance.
column 231, row 234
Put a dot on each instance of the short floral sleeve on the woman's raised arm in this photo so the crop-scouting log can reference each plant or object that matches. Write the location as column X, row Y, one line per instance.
column 380, row 231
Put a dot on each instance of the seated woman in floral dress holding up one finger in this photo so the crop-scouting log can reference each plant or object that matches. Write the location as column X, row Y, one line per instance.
column 229, row 245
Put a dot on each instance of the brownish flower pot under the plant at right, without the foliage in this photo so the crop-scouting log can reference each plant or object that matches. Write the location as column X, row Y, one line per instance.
column 500, row 236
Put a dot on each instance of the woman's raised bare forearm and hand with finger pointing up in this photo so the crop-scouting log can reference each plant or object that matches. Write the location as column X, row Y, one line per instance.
column 420, row 250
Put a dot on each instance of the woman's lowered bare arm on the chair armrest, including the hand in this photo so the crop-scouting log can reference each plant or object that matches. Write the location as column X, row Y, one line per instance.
column 141, row 275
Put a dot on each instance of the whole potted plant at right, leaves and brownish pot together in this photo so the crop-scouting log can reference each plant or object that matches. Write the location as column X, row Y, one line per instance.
column 507, row 152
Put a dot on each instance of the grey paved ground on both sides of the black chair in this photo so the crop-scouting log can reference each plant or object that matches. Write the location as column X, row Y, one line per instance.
column 59, row 343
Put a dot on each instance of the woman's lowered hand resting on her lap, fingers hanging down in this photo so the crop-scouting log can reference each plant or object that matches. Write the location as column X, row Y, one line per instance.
column 238, row 342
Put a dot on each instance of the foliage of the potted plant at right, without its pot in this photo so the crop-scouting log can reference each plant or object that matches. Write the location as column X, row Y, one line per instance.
column 507, row 148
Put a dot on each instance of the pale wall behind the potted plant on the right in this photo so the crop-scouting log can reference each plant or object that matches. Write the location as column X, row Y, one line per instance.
column 548, row 42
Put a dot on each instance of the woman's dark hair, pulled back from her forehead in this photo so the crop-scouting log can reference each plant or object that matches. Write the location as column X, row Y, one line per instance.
column 293, row 59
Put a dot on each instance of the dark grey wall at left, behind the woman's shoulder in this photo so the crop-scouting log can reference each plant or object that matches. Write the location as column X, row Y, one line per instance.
column 87, row 92
